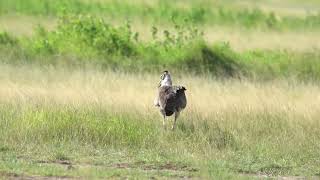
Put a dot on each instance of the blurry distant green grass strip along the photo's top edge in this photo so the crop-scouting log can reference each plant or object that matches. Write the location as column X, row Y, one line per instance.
column 164, row 11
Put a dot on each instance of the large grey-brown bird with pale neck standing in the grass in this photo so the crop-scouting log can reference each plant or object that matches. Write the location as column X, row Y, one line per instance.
column 170, row 99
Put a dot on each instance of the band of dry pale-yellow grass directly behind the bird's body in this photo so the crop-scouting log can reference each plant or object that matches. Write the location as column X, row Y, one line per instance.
column 135, row 93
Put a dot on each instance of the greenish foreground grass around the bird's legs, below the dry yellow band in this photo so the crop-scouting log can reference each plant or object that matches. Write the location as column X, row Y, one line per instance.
column 92, row 142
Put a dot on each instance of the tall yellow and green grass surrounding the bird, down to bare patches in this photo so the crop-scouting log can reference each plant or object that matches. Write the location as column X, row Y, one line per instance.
column 268, row 128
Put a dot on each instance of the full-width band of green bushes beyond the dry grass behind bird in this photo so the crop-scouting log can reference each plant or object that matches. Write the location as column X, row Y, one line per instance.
column 84, row 40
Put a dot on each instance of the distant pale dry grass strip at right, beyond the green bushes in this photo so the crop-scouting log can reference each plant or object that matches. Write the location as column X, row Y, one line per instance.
column 246, row 40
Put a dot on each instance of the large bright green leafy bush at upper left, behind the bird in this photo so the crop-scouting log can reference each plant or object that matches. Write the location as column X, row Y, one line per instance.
column 84, row 36
